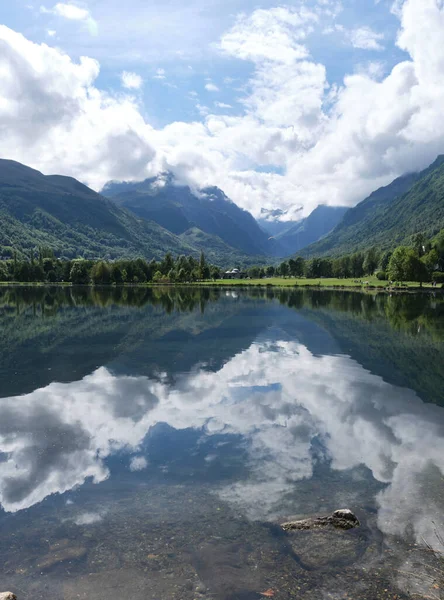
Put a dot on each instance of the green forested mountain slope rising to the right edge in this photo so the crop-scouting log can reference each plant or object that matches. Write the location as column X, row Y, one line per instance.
column 390, row 216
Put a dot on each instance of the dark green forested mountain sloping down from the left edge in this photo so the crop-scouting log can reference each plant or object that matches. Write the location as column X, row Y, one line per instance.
column 62, row 213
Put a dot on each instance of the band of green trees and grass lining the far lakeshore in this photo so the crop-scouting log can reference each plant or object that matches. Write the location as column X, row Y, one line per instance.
column 420, row 263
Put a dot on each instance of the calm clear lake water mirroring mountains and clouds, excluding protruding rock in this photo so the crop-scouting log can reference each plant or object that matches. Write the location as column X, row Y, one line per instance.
column 152, row 441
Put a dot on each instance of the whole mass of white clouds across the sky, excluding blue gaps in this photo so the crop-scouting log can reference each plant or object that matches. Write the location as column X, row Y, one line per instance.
column 329, row 144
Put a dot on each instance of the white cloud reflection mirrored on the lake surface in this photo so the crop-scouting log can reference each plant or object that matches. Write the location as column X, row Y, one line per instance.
column 280, row 397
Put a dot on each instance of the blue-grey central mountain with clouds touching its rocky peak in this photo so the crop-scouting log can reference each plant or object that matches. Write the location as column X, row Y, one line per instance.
column 179, row 209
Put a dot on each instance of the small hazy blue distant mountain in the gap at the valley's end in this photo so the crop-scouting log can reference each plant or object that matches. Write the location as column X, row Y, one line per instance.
column 320, row 222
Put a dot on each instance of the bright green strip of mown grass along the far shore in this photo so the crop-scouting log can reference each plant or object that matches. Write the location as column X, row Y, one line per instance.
column 302, row 282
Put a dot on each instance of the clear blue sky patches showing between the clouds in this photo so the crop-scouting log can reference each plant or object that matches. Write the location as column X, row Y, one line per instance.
column 180, row 38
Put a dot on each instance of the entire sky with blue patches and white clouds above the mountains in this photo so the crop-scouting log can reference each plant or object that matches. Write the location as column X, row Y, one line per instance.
column 284, row 106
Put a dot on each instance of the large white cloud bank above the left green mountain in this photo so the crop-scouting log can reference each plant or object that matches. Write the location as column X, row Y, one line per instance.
column 54, row 118
